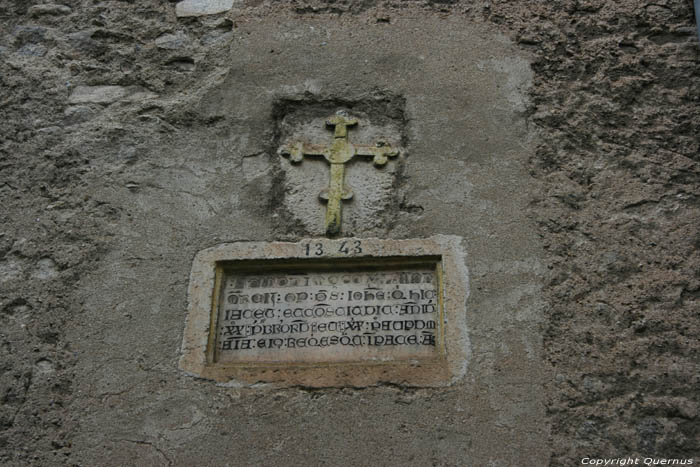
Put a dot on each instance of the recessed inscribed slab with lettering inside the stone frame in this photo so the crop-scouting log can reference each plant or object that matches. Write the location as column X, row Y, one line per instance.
column 329, row 316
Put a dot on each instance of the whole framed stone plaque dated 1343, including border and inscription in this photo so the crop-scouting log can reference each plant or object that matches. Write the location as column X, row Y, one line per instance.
column 323, row 312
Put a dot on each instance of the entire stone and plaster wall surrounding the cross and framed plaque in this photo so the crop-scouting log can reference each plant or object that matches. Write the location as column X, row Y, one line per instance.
column 559, row 140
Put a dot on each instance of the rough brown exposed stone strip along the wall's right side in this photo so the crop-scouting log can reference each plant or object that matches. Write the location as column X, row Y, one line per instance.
column 617, row 99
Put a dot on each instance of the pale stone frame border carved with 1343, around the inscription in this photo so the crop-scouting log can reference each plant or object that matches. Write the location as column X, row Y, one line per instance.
column 445, row 250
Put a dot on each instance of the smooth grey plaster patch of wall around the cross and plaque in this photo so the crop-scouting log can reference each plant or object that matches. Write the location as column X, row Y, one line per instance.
column 220, row 179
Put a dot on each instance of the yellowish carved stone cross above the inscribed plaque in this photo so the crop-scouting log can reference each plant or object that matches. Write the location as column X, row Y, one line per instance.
column 337, row 154
